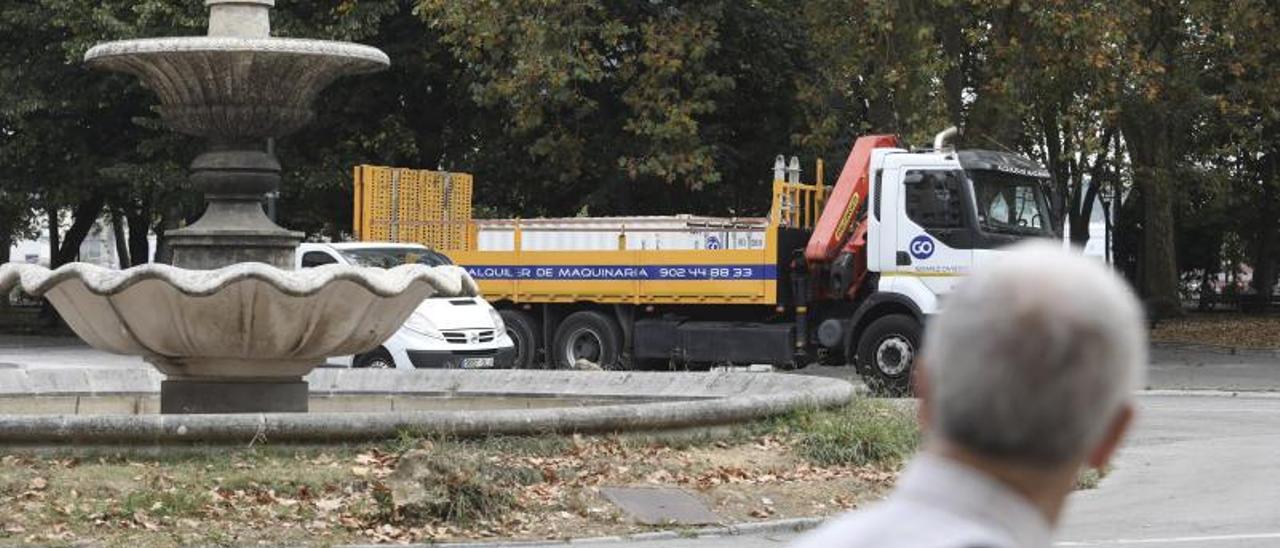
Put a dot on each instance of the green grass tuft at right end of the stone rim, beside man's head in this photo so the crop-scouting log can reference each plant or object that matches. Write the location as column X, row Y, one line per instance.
column 867, row 432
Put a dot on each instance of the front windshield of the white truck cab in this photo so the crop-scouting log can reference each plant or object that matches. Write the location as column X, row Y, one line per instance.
column 1012, row 204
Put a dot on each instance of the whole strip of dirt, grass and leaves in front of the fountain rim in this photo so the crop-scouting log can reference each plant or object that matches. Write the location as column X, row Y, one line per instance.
column 520, row 488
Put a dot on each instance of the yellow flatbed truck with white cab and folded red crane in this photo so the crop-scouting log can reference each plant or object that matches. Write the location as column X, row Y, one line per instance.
column 847, row 275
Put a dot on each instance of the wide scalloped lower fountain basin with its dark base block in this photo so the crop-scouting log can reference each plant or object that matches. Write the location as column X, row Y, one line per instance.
column 240, row 339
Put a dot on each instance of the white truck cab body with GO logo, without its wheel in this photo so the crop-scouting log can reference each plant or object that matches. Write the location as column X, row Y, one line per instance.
column 936, row 216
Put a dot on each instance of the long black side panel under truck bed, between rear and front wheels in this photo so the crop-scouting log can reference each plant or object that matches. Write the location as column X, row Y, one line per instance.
column 715, row 342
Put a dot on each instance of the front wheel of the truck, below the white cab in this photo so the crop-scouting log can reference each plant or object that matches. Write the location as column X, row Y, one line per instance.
column 886, row 353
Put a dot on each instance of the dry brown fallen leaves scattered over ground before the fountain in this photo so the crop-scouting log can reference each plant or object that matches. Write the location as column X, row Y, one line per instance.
column 346, row 499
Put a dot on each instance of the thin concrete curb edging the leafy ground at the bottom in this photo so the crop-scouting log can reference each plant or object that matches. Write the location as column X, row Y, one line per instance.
column 756, row 528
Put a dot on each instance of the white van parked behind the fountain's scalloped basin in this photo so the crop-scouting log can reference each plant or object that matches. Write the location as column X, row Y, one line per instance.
column 444, row 332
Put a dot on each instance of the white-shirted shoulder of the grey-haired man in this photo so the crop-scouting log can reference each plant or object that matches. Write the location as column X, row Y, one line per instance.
column 899, row 524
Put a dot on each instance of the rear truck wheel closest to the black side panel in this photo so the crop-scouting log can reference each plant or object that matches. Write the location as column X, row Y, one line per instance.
column 588, row 340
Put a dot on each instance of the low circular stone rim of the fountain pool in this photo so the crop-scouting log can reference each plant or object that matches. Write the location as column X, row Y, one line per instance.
column 674, row 401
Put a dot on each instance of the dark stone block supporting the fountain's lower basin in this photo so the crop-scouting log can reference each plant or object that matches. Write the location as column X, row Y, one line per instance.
column 186, row 398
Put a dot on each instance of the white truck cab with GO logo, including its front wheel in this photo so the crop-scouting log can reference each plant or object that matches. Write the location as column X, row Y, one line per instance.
column 932, row 217
